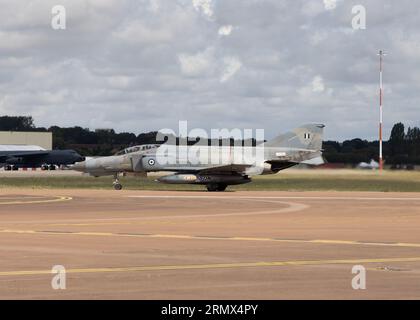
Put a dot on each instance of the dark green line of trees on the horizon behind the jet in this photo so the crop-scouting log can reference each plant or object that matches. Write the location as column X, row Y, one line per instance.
column 403, row 146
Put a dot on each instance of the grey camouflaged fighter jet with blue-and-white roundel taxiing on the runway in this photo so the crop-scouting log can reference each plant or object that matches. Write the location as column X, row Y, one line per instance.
column 301, row 145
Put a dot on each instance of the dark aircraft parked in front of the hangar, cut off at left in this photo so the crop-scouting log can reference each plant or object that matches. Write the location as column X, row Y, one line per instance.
column 13, row 157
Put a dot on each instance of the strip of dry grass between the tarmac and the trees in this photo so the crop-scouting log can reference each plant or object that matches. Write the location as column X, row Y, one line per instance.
column 294, row 180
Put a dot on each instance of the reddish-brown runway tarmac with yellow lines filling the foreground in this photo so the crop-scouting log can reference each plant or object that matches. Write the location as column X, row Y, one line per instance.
column 197, row 245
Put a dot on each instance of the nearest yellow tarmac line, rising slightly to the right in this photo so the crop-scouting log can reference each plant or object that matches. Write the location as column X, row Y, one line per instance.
column 213, row 266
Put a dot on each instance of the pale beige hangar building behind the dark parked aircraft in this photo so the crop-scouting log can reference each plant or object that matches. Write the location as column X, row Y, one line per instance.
column 42, row 139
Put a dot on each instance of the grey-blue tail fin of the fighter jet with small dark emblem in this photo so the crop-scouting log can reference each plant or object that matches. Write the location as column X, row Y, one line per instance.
column 308, row 137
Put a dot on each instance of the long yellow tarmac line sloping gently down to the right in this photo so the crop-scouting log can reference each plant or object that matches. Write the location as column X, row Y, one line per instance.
column 209, row 237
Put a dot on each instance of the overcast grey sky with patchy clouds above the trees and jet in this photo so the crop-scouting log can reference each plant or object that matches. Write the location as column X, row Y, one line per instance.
column 141, row 65
